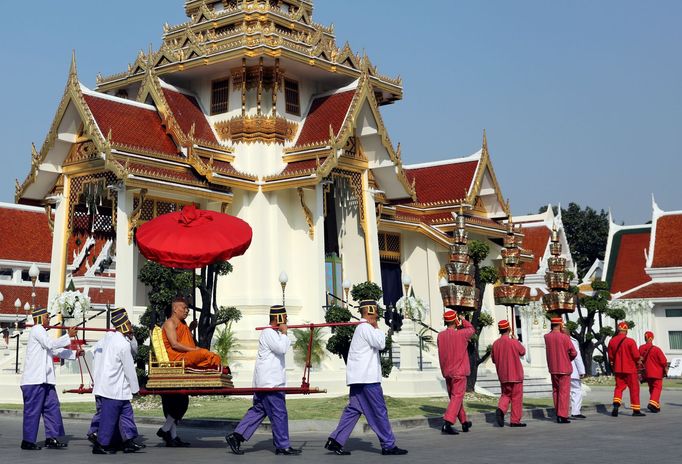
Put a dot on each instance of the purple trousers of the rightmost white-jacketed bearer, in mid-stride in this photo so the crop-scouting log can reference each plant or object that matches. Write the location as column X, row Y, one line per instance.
column 367, row 399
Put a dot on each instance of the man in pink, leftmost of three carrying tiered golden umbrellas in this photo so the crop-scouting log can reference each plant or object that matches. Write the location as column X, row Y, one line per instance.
column 454, row 365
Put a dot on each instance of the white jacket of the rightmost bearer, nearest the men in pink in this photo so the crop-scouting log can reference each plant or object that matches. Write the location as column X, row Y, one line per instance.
column 364, row 365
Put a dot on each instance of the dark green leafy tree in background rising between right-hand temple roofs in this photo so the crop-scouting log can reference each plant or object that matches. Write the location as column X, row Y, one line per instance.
column 587, row 232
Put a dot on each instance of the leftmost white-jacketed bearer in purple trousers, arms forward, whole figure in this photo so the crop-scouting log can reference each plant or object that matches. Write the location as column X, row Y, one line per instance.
column 38, row 383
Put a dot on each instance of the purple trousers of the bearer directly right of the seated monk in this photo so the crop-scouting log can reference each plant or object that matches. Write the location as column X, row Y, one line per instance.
column 273, row 405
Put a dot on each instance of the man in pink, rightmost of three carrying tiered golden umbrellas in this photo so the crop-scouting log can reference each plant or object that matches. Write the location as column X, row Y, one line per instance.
column 560, row 353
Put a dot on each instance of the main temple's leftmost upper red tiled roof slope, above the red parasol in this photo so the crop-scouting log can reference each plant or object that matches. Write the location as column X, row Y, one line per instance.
column 131, row 125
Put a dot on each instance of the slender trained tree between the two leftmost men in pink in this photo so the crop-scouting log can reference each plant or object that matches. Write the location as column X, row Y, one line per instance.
column 478, row 251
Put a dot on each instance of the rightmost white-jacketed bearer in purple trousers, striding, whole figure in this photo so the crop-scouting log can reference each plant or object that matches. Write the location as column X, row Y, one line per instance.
column 363, row 375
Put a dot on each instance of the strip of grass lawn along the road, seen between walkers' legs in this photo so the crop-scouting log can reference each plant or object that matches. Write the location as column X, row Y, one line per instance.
column 226, row 408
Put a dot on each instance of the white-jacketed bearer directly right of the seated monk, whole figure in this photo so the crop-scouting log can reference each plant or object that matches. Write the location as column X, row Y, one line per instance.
column 268, row 373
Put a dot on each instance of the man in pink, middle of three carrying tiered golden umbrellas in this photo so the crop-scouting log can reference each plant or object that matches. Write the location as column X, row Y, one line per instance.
column 506, row 354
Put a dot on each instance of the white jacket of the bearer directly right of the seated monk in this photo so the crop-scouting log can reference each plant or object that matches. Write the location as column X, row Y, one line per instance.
column 269, row 371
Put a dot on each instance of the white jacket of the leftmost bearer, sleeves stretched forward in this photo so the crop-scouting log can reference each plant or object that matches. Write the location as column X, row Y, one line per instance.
column 38, row 366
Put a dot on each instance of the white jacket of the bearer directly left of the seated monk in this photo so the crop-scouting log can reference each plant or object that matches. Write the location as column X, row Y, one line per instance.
column 115, row 377
